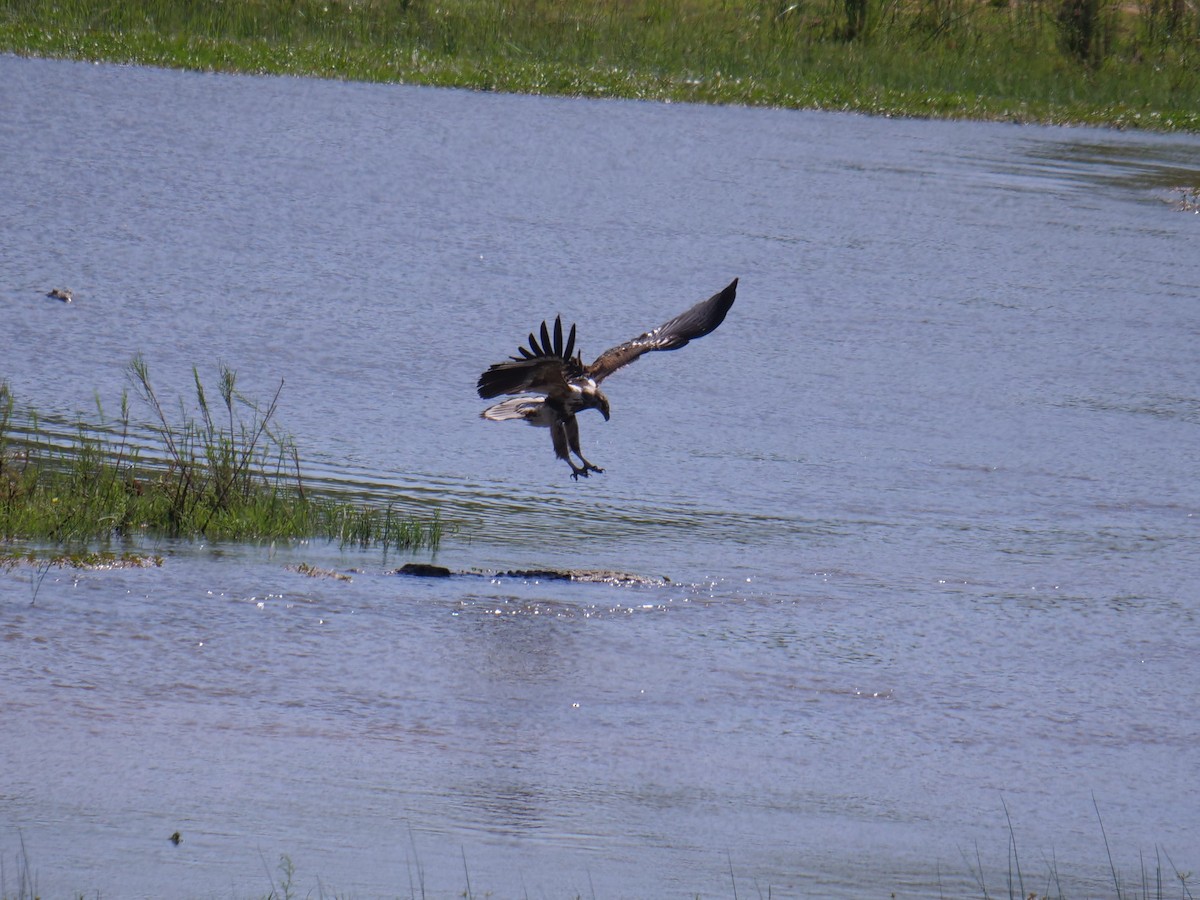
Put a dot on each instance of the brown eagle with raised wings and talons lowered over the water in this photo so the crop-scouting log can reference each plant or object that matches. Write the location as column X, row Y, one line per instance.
column 563, row 386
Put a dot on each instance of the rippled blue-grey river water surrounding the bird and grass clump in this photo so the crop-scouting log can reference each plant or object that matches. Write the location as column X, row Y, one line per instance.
column 929, row 501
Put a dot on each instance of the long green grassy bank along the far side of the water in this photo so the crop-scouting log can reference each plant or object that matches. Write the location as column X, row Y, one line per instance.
column 1123, row 63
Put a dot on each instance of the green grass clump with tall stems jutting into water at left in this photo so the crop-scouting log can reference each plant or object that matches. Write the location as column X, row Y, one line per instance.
column 220, row 473
